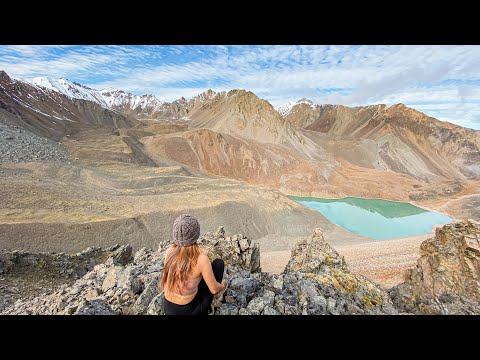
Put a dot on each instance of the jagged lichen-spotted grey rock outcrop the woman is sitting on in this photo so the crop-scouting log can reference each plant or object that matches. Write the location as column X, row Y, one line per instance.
column 316, row 281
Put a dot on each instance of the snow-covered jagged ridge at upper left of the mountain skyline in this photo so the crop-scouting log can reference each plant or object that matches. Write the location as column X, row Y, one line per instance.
column 108, row 98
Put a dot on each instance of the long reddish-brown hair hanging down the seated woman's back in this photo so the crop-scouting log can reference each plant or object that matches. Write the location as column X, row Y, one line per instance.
column 178, row 265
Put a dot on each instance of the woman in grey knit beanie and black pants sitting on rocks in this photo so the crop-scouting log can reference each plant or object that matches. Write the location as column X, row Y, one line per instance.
column 189, row 279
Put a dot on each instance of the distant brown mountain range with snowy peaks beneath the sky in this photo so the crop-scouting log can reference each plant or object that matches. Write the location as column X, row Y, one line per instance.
column 299, row 148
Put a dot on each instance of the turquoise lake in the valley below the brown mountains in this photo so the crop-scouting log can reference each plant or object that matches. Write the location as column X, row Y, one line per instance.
column 378, row 219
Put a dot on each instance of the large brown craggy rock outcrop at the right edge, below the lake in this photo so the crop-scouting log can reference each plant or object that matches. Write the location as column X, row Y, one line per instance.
column 446, row 279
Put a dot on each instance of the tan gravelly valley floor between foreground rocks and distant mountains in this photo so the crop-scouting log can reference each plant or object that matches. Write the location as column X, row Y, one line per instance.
column 101, row 198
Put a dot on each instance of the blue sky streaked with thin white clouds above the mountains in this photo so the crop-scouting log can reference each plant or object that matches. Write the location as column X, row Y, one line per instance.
column 442, row 81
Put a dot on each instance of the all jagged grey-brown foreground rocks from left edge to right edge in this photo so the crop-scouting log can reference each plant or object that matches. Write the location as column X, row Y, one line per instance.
column 315, row 281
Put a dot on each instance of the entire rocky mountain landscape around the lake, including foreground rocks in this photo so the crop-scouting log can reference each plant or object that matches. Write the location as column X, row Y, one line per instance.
column 82, row 168
